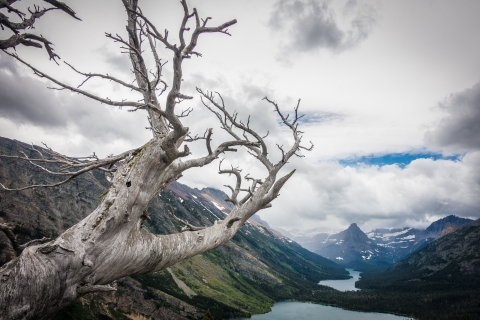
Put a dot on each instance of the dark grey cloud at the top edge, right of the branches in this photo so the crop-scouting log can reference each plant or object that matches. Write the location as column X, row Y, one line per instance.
column 310, row 25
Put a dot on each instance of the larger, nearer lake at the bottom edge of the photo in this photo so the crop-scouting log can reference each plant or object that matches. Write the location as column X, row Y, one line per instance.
column 289, row 310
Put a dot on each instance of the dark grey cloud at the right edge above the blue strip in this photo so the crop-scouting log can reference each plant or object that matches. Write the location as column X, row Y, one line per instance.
column 459, row 130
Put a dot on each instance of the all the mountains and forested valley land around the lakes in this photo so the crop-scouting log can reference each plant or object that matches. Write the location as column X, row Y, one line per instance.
column 438, row 277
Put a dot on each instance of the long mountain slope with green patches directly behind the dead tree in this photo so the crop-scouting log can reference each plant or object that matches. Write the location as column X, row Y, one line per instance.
column 259, row 266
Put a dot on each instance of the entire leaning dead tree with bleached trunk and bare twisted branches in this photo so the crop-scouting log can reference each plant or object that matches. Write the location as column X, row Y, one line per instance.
column 110, row 242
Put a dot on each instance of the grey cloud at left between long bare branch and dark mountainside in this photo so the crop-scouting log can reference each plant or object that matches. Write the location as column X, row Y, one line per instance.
column 25, row 100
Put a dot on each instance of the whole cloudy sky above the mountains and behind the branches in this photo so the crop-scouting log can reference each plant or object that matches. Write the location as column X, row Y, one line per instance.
column 390, row 91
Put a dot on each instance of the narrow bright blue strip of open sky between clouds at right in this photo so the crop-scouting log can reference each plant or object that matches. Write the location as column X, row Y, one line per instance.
column 400, row 159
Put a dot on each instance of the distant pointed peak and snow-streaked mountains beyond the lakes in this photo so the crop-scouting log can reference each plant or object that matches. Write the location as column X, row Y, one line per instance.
column 377, row 248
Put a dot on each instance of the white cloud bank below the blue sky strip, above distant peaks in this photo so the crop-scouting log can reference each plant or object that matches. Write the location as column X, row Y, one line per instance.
column 329, row 195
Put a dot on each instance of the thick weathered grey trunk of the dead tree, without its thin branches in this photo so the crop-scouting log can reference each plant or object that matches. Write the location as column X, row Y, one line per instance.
column 106, row 245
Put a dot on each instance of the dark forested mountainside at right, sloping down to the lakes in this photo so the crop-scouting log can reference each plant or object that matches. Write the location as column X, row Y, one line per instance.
column 440, row 281
